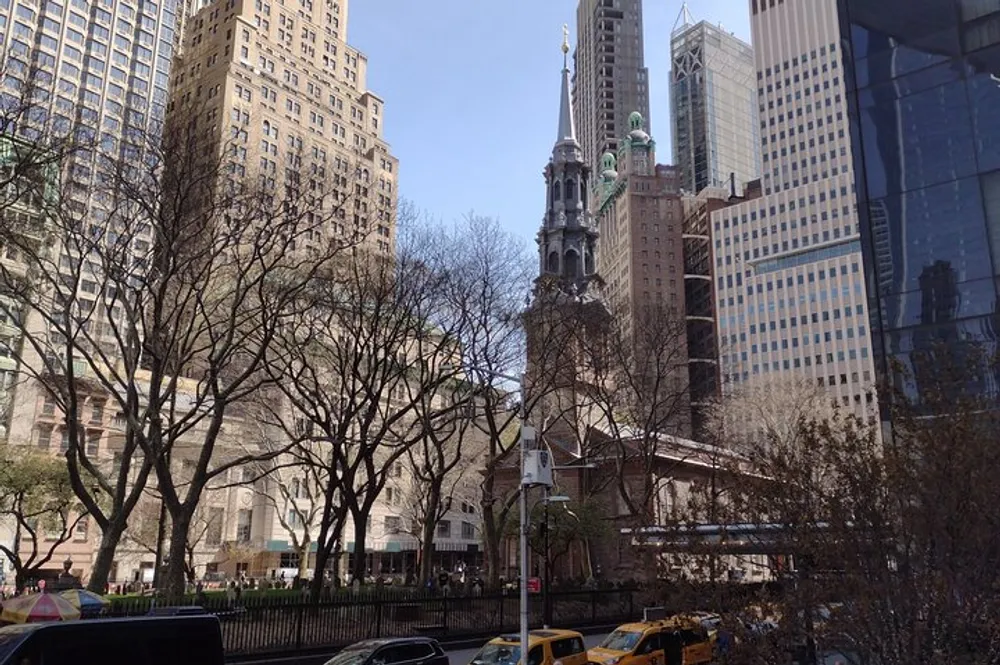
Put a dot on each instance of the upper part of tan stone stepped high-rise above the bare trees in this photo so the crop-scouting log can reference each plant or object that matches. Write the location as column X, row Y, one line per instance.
column 293, row 103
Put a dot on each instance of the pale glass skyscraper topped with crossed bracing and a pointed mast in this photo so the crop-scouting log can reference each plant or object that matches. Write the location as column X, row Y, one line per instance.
column 713, row 105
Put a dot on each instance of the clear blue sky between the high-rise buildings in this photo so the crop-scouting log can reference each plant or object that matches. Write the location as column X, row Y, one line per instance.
column 472, row 93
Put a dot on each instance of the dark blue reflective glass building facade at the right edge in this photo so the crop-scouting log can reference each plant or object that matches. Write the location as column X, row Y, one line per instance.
column 924, row 95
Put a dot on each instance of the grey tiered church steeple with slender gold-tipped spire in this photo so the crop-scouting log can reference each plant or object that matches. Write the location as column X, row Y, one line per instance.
column 567, row 241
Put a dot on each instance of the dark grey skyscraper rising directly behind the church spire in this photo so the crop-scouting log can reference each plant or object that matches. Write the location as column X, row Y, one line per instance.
column 610, row 77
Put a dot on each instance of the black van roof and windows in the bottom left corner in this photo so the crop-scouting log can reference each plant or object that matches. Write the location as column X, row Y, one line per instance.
column 182, row 640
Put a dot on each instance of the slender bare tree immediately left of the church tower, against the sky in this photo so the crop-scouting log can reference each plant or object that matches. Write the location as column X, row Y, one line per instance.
column 491, row 282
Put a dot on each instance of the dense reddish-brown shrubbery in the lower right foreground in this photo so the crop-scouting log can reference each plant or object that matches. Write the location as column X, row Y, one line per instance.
column 887, row 544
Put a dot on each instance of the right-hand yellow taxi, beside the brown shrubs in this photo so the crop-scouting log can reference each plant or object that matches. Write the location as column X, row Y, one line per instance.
column 658, row 640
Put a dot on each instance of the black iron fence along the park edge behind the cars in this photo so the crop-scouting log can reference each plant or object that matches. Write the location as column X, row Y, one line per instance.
column 265, row 626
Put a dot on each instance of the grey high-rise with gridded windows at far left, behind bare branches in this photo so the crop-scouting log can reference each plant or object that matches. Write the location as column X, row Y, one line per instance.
column 89, row 75
